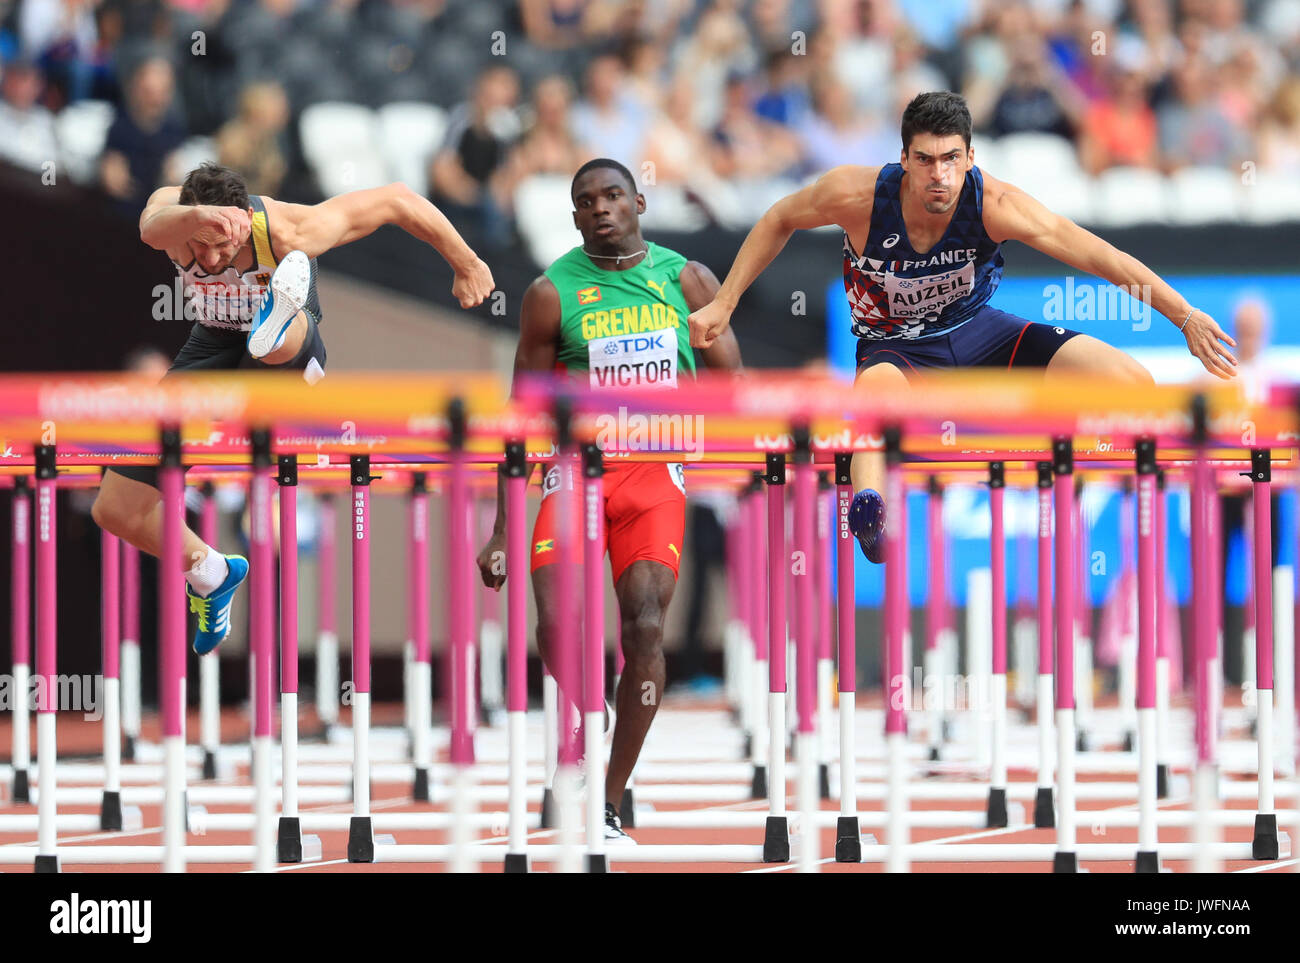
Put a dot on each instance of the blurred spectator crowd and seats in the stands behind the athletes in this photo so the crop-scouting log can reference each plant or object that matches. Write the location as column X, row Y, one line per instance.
column 1112, row 111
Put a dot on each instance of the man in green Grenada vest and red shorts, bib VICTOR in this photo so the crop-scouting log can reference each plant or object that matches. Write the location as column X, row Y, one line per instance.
column 616, row 309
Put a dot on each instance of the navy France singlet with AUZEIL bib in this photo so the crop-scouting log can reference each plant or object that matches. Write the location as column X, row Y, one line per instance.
column 898, row 294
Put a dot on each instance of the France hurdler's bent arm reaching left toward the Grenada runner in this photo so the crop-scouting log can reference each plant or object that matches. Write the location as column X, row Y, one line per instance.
column 831, row 199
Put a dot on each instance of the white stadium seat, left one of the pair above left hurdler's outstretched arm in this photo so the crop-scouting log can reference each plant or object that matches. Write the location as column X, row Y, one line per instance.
column 341, row 145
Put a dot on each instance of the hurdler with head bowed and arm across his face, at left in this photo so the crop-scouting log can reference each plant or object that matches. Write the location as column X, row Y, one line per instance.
column 249, row 274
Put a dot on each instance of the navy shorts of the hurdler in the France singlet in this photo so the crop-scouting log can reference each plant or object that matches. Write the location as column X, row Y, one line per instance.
column 991, row 340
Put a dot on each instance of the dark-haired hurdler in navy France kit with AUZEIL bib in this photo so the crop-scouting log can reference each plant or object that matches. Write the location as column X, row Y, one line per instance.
column 922, row 258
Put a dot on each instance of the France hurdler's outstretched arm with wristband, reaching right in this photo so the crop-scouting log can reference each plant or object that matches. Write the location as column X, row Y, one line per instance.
column 1012, row 215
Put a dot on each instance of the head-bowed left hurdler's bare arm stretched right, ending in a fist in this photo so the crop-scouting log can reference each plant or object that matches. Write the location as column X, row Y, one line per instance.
column 352, row 216
